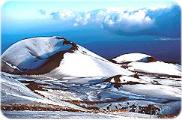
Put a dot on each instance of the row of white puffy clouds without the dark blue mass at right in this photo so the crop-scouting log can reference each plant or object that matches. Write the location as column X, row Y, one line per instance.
column 106, row 16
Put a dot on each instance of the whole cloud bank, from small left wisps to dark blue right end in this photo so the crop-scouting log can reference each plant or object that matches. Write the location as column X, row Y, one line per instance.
column 164, row 22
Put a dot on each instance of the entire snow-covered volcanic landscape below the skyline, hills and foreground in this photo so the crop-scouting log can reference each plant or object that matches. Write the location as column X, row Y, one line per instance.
column 54, row 74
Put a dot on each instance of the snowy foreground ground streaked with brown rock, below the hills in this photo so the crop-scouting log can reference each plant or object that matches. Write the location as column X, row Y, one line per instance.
column 133, row 98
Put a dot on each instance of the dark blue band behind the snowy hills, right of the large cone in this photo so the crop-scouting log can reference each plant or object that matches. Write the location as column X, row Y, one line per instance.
column 165, row 50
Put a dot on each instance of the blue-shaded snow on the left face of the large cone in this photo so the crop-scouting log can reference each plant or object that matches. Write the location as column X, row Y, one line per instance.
column 33, row 52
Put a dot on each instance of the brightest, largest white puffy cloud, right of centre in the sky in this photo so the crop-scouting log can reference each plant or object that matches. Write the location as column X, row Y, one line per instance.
column 129, row 21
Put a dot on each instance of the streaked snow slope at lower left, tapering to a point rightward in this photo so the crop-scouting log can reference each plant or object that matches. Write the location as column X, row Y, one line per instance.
column 13, row 91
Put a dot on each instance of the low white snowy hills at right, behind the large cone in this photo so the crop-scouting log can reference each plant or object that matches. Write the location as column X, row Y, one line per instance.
column 138, row 62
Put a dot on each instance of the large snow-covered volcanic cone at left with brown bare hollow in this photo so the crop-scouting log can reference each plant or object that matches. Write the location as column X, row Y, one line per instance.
column 56, row 57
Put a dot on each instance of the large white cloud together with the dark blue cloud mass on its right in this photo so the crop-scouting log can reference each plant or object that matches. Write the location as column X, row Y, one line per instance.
column 162, row 22
